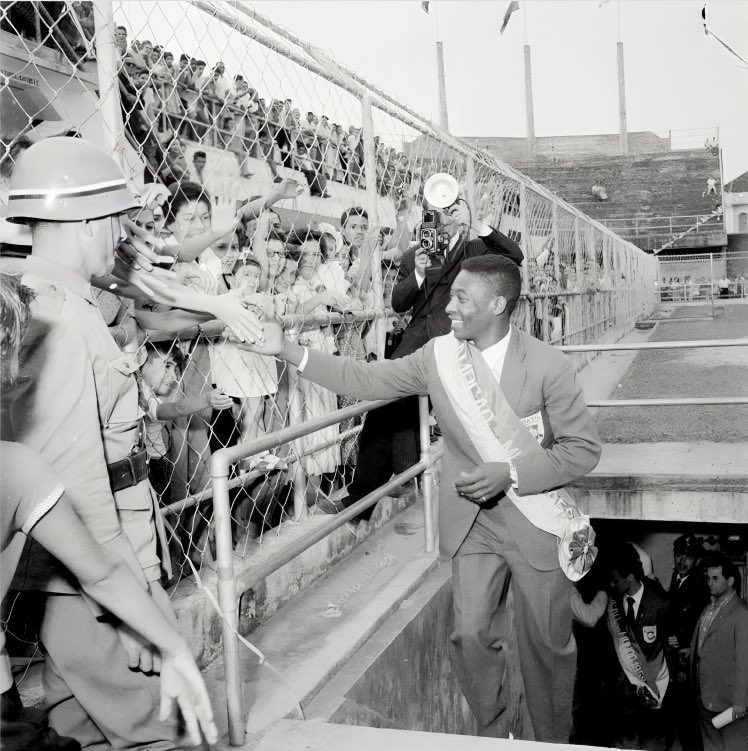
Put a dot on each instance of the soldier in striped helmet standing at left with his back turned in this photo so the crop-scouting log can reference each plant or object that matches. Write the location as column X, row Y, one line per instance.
column 76, row 402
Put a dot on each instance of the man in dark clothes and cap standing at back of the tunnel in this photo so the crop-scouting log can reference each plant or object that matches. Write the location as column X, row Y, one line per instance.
column 688, row 594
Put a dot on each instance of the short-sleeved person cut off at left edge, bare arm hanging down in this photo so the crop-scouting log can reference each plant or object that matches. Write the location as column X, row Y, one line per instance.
column 34, row 504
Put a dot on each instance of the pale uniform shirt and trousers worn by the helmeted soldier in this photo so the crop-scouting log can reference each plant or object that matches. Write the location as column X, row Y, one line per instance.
column 76, row 402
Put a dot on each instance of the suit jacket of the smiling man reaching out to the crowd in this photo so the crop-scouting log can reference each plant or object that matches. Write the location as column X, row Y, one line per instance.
column 537, row 379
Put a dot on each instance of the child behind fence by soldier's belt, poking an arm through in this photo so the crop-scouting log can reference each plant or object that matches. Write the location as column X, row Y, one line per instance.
column 158, row 383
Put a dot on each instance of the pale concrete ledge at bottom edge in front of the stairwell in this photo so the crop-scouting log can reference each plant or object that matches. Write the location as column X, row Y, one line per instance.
column 295, row 735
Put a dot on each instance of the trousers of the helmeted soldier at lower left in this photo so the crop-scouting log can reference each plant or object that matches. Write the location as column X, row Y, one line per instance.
column 92, row 695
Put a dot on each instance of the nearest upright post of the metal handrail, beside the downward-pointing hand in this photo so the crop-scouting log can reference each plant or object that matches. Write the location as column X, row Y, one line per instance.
column 227, row 599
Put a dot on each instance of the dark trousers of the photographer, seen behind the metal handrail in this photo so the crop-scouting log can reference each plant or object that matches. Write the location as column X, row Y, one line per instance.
column 388, row 444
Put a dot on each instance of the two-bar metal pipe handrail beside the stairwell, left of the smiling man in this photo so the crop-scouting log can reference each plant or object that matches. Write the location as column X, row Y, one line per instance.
column 220, row 464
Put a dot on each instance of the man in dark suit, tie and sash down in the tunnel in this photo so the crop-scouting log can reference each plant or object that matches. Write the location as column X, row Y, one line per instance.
column 641, row 634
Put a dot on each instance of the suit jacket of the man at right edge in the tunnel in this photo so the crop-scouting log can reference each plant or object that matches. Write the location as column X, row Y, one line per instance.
column 721, row 666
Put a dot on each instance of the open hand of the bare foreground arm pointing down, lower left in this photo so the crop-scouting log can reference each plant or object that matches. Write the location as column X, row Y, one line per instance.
column 182, row 686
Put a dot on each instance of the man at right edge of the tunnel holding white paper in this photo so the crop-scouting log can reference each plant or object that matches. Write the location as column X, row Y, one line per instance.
column 719, row 659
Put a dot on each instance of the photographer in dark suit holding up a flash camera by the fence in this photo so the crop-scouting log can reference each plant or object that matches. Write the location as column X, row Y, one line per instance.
column 388, row 443
